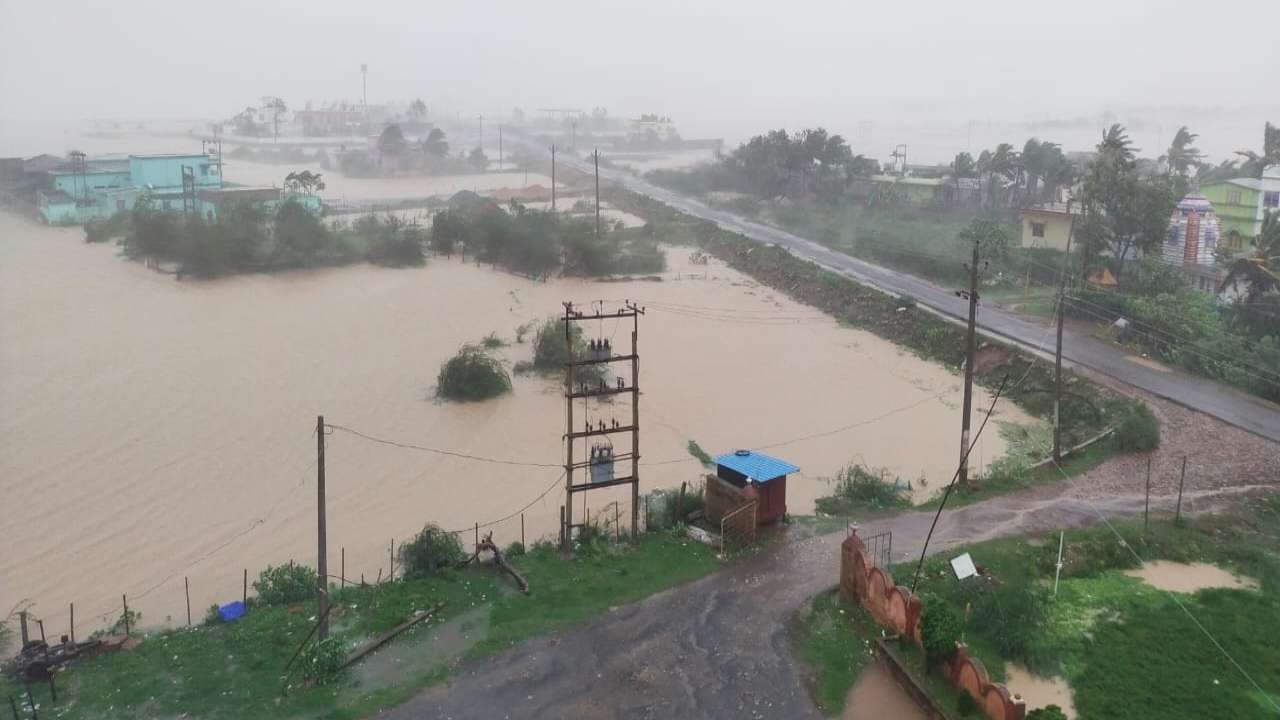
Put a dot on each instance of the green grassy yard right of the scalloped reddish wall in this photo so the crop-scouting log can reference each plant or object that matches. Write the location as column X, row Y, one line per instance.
column 1127, row 649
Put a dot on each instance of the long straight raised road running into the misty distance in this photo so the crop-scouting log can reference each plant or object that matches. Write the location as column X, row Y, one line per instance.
column 1224, row 403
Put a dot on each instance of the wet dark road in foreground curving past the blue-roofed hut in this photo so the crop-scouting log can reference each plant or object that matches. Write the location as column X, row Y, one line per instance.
column 717, row 648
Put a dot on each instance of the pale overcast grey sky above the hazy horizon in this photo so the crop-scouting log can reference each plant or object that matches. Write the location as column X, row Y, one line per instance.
column 918, row 72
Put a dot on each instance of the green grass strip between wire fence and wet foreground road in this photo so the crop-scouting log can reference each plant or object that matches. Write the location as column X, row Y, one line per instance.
column 236, row 671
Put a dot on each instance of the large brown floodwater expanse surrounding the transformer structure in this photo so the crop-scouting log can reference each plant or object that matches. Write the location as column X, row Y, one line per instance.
column 157, row 430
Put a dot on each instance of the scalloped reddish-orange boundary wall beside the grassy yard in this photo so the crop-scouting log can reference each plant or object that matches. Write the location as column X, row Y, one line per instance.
column 895, row 608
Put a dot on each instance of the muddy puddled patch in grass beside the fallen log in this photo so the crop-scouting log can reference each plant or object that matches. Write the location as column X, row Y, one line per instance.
column 422, row 649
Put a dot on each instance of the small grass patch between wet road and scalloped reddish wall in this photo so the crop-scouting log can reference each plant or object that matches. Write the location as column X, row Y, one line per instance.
column 835, row 641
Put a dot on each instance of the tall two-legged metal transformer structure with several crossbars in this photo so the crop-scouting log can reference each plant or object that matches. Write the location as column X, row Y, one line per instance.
column 601, row 354
